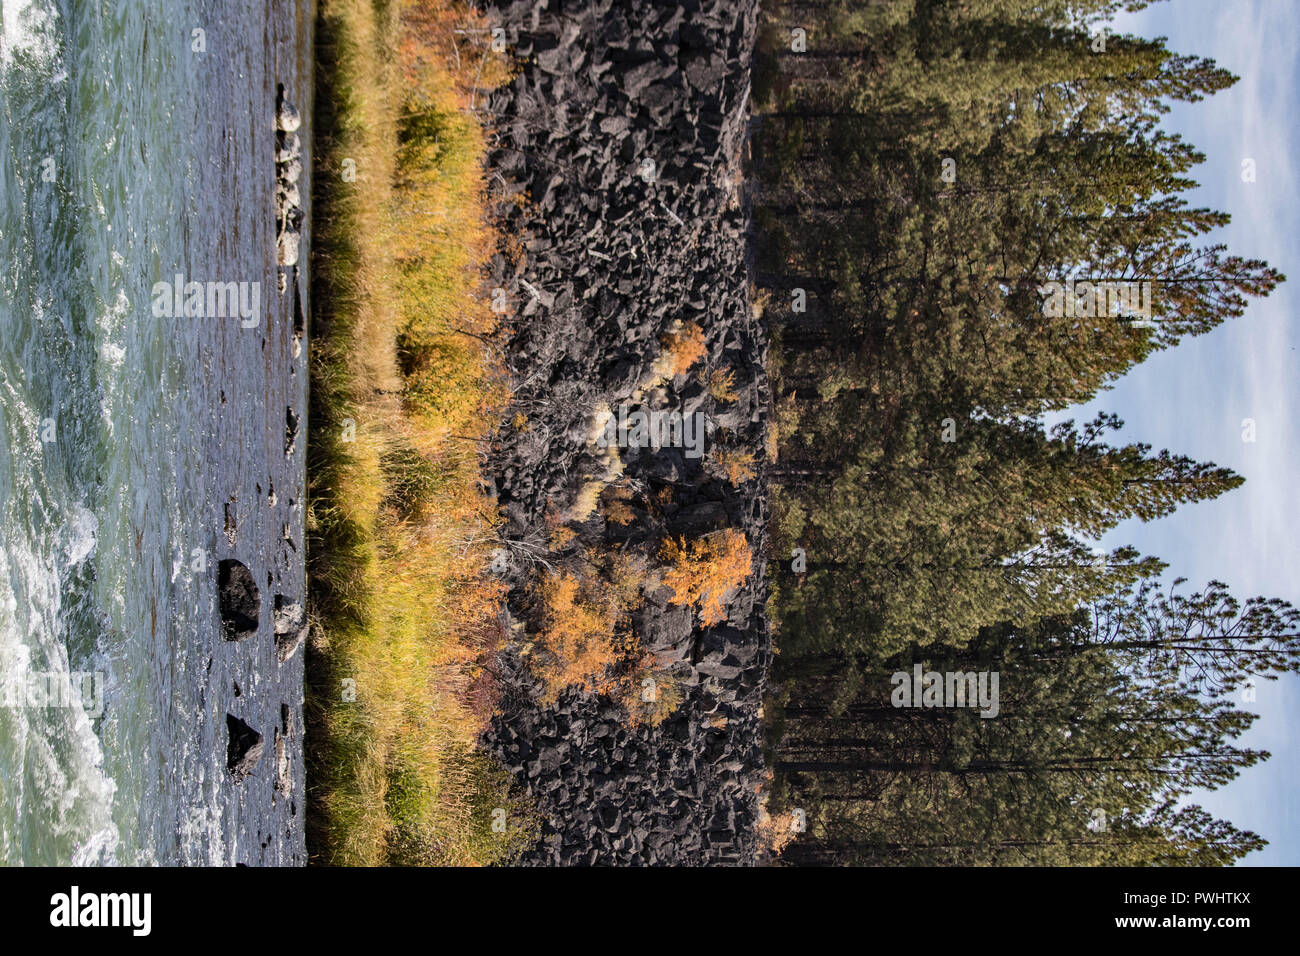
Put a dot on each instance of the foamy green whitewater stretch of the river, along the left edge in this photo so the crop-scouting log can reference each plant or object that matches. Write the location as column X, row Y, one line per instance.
column 59, row 802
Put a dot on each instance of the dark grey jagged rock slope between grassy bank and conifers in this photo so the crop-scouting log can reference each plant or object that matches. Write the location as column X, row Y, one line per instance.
column 626, row 131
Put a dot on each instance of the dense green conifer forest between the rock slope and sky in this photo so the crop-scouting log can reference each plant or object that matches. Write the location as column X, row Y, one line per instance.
column 969, row 217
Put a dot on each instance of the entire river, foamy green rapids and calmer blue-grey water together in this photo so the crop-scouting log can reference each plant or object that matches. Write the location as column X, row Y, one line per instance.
column 137, row 451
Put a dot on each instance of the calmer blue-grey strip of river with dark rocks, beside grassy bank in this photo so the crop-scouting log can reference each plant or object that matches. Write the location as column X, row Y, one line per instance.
column 245, row 782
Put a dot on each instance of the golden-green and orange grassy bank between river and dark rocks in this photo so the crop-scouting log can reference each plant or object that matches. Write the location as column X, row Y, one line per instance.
column 405, row 615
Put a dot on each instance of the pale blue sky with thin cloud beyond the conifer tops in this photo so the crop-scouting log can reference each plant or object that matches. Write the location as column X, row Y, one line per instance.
column 1195, row 399
